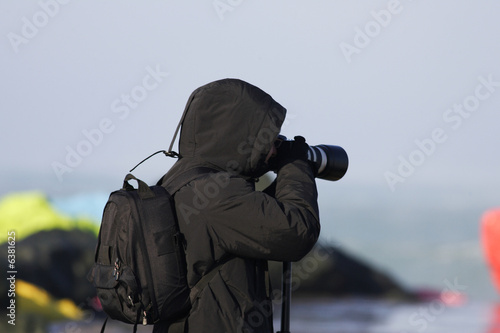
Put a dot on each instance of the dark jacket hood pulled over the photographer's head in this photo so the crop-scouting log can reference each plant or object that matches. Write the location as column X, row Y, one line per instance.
column 231, row 125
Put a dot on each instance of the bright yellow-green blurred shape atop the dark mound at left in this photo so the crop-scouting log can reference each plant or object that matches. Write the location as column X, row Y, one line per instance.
column 29, row 212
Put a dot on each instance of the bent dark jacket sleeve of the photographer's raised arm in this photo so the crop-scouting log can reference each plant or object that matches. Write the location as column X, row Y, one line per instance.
column 283, row 227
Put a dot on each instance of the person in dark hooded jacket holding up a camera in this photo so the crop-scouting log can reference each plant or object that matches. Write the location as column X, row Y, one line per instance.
column 231, row 126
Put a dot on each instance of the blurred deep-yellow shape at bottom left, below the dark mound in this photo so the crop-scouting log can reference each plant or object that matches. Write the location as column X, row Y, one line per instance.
column 32, row 299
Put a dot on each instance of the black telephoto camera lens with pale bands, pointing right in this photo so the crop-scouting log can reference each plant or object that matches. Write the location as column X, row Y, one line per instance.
column 331, row 162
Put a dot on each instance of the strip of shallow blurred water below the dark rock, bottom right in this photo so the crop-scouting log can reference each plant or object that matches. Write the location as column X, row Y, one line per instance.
column 379, row 316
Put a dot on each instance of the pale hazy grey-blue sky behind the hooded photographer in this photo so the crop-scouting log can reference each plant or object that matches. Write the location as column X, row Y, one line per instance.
column 410, row 89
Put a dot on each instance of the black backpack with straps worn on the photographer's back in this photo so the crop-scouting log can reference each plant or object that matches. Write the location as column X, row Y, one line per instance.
column 140, row 269
